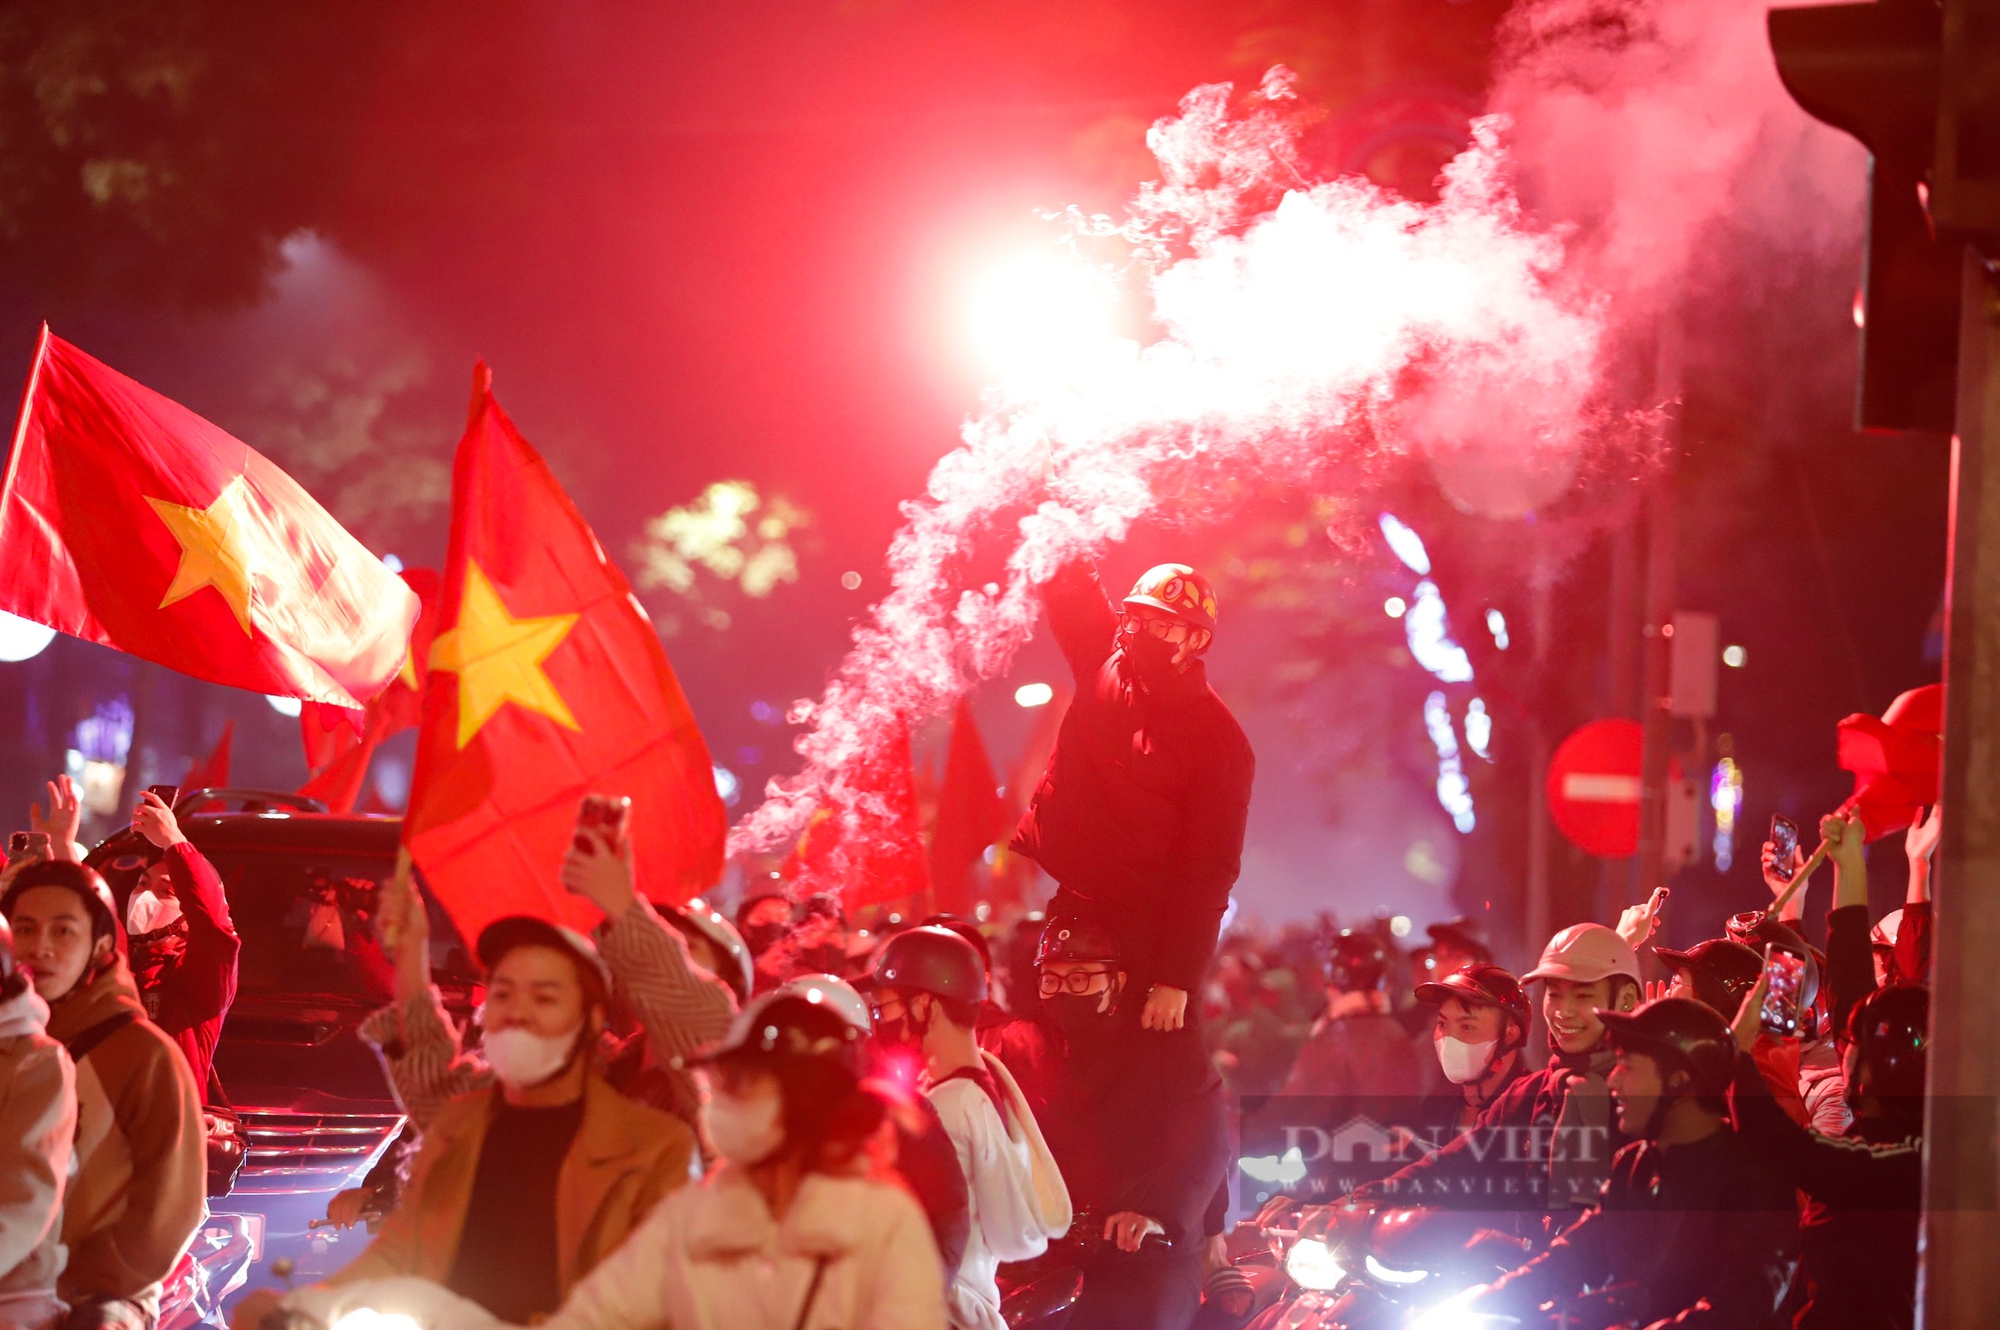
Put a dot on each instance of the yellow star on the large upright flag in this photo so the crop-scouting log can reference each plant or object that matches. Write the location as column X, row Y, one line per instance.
column 499, row 659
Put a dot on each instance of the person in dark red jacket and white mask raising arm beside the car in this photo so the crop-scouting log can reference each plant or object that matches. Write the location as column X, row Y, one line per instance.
column 181, row 939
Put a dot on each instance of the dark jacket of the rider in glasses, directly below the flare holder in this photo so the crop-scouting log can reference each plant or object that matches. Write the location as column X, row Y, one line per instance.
column 1141, row 1123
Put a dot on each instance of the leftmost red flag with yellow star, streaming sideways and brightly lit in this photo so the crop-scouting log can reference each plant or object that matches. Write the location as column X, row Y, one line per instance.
column 131, row 521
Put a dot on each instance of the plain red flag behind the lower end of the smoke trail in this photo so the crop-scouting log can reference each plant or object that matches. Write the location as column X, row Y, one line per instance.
column 867, row 847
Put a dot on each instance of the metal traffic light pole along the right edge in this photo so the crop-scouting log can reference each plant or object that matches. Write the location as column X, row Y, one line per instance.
column 1959, row 1283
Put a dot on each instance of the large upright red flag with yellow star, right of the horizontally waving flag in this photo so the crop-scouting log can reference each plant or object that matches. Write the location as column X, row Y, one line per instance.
column 547, row 683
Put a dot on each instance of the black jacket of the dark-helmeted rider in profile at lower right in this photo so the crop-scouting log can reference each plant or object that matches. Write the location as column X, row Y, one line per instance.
column 1697, row 1235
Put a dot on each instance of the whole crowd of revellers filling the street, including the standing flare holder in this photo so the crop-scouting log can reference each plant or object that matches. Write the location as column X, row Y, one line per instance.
column 783, row 1121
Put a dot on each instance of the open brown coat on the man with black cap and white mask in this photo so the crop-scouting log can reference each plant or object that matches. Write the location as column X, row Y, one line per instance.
column 625, row 1159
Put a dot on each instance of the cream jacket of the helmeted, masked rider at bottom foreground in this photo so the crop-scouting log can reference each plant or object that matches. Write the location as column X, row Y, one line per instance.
column 715, row 1259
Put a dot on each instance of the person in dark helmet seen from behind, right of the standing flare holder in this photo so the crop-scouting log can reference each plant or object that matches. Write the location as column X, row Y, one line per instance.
column 1357, row 1049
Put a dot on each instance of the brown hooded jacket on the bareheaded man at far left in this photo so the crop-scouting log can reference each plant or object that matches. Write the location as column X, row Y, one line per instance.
column 141, row 1143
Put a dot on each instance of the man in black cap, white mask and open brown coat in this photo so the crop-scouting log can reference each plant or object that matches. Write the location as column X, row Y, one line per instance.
column 521, row 1189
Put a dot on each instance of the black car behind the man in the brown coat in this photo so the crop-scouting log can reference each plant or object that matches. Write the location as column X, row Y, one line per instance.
column 317, row 1105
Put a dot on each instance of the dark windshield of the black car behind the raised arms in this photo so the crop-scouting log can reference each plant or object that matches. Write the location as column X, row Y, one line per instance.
column 309, row 927
